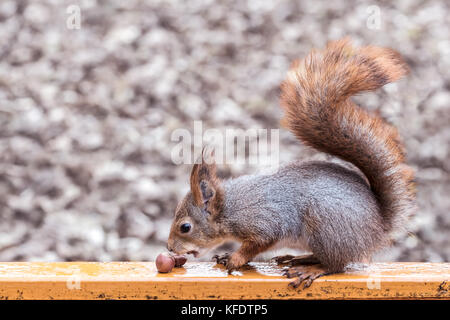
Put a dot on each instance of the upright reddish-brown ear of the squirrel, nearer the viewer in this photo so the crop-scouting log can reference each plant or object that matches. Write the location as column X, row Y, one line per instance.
column 205, row 187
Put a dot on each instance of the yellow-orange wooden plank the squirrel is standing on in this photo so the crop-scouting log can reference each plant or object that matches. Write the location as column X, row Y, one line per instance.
column 140, row 280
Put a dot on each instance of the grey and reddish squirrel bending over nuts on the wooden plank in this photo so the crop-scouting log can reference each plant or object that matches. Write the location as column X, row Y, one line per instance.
column 339, row 214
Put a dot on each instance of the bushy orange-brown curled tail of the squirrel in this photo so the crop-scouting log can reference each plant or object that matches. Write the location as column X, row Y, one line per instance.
column 315, row 98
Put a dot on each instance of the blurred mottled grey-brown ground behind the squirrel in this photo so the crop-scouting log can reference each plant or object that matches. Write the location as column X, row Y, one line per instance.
column 86, row 114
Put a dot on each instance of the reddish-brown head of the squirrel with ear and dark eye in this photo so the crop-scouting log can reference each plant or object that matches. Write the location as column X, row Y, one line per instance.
column 194, row 229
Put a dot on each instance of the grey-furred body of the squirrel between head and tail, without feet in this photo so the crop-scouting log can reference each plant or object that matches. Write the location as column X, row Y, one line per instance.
column 325, row 206
